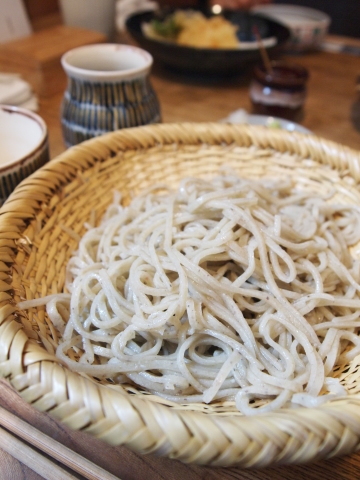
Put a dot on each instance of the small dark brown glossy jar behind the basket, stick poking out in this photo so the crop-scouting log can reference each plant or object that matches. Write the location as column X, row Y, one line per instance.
column 280, row 92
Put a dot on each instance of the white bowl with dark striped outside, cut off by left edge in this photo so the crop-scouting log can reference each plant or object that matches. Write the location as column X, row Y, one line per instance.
column 23, row 146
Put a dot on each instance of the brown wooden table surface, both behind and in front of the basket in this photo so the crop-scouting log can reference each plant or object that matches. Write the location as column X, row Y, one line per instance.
column 331, row 94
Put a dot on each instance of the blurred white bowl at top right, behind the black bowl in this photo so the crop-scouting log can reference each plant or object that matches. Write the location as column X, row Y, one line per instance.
column 308, row 27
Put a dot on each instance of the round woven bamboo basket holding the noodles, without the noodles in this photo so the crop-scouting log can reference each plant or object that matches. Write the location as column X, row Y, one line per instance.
column 37, row 226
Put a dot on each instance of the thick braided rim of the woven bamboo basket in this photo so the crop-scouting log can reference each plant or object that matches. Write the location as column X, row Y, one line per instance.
column 136, row 421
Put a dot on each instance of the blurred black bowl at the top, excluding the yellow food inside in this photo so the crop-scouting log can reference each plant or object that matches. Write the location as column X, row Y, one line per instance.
column 207, row 60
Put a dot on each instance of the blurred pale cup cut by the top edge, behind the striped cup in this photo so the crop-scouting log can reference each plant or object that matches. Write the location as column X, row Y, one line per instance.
column 98, row 15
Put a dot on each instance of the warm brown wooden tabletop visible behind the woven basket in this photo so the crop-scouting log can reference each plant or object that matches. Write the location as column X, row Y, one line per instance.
column 331, row 94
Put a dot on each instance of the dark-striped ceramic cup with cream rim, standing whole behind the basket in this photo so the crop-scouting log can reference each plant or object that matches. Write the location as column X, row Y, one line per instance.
column 108, row 89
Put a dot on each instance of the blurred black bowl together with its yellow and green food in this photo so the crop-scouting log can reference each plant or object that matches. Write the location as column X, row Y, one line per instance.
column 158, row 33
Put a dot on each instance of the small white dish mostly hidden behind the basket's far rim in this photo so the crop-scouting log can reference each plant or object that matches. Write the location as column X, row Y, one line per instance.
column 241, row 116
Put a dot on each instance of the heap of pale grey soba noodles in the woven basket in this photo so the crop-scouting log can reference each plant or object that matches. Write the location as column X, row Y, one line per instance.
column 230, row 289
